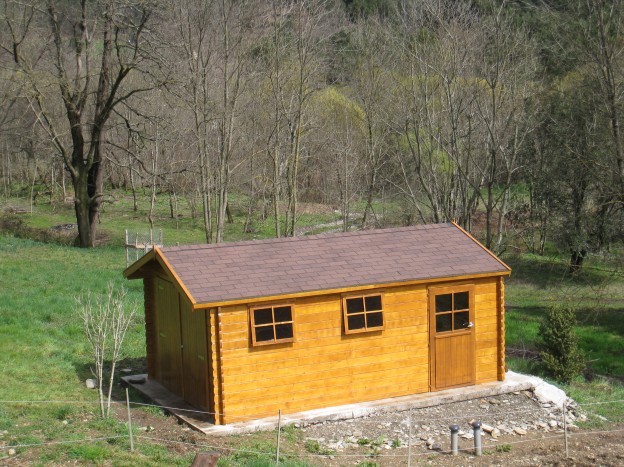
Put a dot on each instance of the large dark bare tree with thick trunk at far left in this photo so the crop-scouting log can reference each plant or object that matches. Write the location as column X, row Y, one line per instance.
column 93, row 48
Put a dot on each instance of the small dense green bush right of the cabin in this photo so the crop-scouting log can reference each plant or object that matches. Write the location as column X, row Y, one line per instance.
column 560, row 353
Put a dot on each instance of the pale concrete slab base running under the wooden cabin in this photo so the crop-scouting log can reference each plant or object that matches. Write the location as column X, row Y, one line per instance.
column 514, row 382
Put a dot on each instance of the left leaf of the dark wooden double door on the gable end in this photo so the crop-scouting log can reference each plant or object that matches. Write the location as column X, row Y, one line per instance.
column 168, row 342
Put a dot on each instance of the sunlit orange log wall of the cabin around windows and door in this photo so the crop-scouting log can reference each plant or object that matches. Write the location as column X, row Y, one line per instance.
column 325, row 367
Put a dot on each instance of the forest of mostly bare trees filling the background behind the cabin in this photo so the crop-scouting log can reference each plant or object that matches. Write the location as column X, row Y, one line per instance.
column 503, row 115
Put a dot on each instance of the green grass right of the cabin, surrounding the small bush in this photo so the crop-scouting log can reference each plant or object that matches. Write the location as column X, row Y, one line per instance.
column 596, row 293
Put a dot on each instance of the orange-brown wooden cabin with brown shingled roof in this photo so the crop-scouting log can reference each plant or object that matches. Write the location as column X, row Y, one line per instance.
column 244, row 329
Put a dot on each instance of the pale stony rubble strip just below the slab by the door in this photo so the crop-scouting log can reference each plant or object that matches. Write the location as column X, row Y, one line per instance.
column 516, row 414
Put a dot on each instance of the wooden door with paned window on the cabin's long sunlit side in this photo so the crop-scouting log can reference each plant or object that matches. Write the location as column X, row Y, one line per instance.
column 451, row 328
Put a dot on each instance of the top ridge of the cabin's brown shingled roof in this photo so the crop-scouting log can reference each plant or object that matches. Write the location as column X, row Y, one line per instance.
column 321, row 236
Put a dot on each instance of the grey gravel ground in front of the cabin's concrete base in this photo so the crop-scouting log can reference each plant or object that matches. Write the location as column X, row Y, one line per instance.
column 506, row 420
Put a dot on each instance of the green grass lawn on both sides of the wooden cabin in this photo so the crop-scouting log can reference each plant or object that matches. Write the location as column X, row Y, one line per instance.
column 44, row 356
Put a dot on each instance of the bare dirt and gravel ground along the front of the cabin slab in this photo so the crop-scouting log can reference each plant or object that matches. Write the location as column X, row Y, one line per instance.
column 521, row 431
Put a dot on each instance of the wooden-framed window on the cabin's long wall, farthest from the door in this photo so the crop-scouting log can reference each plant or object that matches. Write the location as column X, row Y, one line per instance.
column 272, row 325
